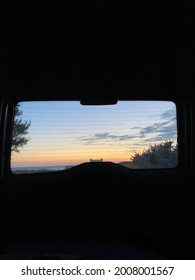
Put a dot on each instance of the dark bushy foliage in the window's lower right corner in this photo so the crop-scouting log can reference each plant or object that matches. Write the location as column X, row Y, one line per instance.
column 163, row 155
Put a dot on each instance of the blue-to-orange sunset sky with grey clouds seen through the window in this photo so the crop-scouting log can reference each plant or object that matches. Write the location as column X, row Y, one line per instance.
column 68, row 133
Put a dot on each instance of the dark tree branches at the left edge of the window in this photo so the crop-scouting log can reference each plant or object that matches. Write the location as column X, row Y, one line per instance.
column 20, row 131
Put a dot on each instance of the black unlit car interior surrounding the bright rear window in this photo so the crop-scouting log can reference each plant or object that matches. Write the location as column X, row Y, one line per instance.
column 98, row 54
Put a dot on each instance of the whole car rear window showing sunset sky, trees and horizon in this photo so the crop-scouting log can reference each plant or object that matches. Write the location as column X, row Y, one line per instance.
column 58, row 135
